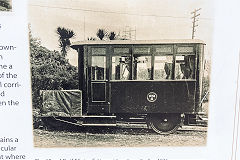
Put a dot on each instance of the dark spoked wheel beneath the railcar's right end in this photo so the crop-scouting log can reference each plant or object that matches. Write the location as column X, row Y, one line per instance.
column 164, row 123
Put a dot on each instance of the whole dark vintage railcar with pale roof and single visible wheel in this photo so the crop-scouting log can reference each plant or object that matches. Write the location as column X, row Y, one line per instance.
column 154, row 82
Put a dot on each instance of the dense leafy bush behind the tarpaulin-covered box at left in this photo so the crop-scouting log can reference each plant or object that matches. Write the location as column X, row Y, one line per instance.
column 50, row 71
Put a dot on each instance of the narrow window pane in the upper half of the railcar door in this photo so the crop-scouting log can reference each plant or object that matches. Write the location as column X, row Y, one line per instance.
column 98, row 68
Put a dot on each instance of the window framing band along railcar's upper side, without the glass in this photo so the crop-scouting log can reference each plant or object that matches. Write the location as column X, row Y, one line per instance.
column 109, row 54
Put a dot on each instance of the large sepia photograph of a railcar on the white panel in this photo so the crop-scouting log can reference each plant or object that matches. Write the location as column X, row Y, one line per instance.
column 129, row 73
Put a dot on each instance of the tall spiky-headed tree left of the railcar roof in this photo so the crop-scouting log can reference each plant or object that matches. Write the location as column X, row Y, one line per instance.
column 64, row 36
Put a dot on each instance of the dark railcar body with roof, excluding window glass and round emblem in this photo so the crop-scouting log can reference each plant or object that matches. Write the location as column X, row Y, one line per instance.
column 130, row 96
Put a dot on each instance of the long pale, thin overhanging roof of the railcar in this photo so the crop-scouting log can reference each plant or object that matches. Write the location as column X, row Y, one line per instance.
column 124, row 42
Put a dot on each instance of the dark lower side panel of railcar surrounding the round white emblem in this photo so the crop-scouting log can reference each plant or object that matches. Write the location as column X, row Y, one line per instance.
column 172, row 97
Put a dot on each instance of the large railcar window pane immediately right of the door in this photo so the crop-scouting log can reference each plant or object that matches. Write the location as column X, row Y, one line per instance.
column 121, row 67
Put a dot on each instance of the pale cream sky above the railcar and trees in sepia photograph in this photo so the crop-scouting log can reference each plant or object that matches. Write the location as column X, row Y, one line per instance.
column 152, row 19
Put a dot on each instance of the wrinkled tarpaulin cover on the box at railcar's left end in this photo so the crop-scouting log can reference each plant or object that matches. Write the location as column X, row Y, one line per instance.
column 64, row 103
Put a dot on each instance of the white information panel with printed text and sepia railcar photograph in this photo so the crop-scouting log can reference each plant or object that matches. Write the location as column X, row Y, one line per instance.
column 38, row 51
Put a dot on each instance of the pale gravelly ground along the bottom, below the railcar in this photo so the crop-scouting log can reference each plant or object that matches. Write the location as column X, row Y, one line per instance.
column 119, row 137
